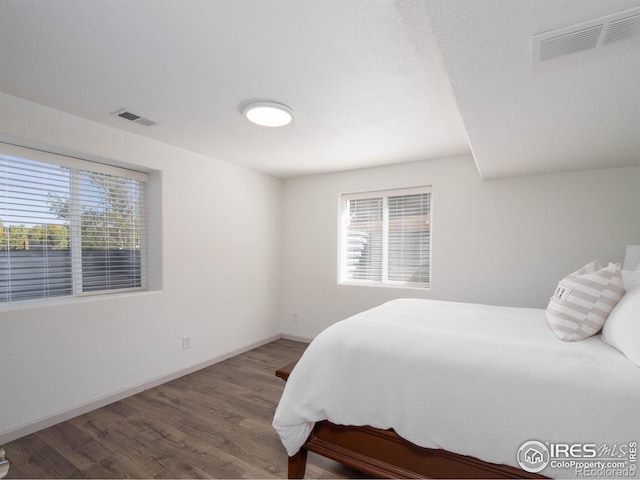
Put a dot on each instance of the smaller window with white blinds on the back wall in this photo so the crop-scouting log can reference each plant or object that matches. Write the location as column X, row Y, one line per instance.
column 386, row 238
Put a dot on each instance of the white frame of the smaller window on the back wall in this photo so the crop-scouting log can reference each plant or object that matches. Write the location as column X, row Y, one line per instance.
column 342, row 236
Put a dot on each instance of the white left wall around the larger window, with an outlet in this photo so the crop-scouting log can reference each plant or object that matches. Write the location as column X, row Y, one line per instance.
column 220, row 259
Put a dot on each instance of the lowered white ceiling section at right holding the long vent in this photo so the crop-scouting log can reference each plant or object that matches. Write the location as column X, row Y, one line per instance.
column 572, row 113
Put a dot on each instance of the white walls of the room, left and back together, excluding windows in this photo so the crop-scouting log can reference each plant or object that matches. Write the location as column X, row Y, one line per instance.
column 223, row 229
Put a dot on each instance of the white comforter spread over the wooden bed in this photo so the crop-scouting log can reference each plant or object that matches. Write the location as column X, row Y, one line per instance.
column 473, row 379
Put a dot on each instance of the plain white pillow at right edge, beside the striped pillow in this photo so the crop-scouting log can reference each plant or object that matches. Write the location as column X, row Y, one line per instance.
column 622, row 328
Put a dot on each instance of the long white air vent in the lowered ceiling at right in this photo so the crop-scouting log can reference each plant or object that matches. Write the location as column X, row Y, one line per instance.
column 588, row 35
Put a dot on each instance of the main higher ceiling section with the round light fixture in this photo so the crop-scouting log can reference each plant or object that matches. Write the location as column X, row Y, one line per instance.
column 363, row 77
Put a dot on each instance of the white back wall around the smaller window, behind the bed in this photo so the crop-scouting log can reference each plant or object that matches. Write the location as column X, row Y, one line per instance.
column 503, row 242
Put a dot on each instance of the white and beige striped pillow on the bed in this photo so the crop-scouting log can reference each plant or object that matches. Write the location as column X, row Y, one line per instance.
column 583, row 301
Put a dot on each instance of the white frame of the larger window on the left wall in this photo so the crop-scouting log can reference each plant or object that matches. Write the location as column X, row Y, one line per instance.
column 75, row 237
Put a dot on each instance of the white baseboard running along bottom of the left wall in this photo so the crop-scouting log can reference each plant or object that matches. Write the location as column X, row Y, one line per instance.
column 50, row 420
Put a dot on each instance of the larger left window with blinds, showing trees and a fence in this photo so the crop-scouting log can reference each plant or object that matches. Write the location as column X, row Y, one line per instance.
column 68, row 226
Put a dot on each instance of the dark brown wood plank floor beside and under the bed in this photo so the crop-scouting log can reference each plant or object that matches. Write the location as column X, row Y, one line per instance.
column 214, row 423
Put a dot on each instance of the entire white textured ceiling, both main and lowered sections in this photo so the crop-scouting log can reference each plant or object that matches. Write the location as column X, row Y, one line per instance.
column 372, row 82
